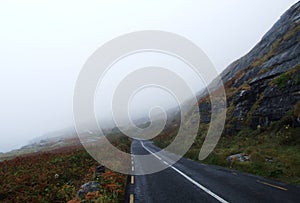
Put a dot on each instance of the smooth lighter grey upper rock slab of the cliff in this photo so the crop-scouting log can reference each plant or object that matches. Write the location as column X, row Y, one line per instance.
column 283, row 37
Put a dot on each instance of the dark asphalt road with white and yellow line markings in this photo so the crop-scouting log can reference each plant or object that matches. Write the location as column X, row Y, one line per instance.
column 190, row 181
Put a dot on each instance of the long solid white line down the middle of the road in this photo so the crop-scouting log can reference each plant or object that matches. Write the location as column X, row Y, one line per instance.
column 220, row 199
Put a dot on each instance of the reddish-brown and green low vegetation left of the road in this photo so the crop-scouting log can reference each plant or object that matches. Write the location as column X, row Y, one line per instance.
column 56, row 176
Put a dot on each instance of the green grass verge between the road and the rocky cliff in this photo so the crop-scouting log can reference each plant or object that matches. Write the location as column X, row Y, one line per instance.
column 282, row 145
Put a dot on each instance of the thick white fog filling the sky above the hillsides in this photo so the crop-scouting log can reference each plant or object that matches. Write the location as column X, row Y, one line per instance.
column 44, row 44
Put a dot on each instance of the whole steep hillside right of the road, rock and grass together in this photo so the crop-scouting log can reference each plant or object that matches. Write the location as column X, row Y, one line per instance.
column 263, row 107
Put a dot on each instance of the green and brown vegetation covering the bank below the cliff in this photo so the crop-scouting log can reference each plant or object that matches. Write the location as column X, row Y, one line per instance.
column 273, row 151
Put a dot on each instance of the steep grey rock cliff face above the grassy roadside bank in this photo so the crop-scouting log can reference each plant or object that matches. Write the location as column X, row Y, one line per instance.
column 264, row 85
